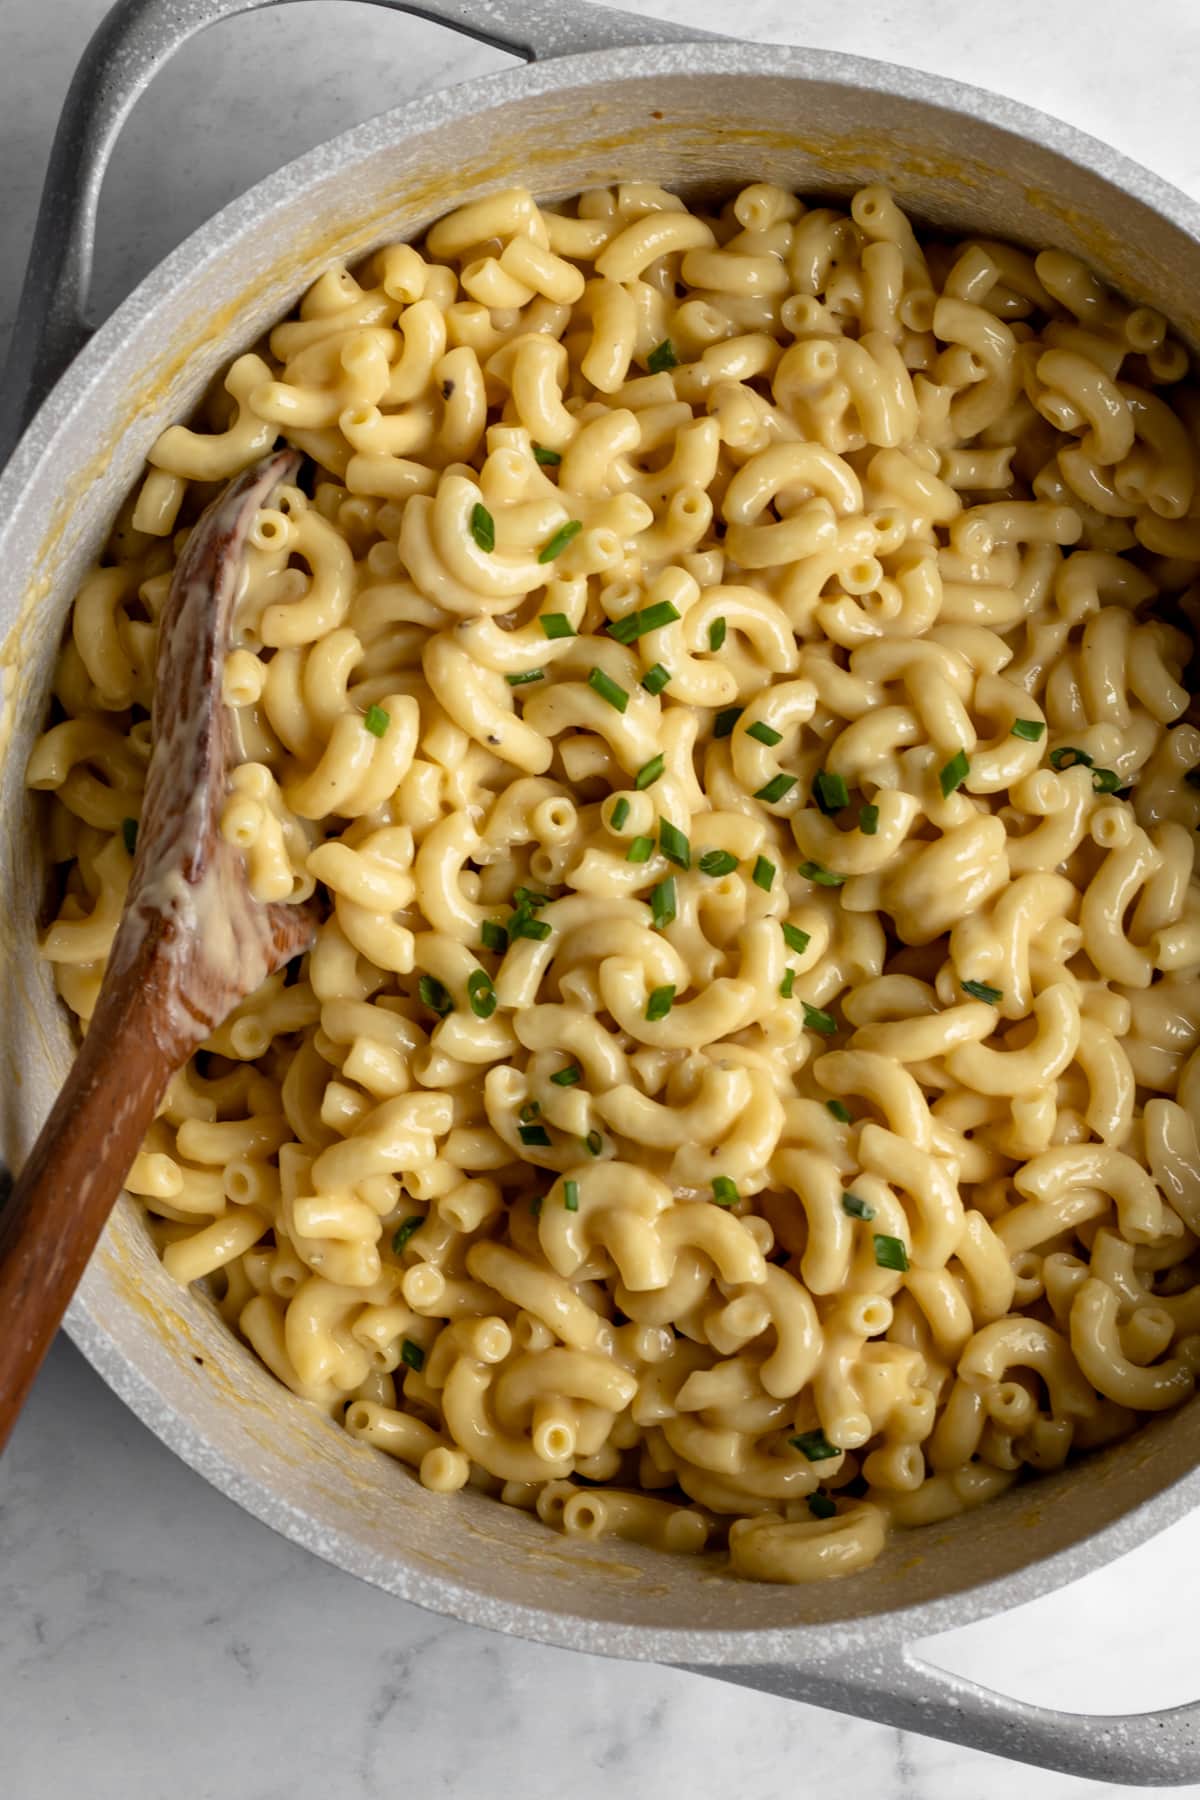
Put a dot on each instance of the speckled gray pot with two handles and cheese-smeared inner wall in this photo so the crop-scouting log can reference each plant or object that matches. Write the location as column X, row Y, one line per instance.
column 607, row 96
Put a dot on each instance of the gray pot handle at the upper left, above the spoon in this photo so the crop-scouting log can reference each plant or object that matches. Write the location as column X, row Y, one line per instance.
column 132, row 44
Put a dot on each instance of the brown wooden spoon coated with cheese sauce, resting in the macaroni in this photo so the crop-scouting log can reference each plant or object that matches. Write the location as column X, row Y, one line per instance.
column 192, row 944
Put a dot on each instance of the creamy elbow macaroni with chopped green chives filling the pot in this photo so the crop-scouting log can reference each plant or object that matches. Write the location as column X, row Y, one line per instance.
column 751, row 1057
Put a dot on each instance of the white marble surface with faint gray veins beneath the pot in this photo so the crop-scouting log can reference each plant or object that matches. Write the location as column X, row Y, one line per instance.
column 156, row 1644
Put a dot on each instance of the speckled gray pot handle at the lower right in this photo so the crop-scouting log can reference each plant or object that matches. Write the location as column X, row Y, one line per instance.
column 893, row 1686
